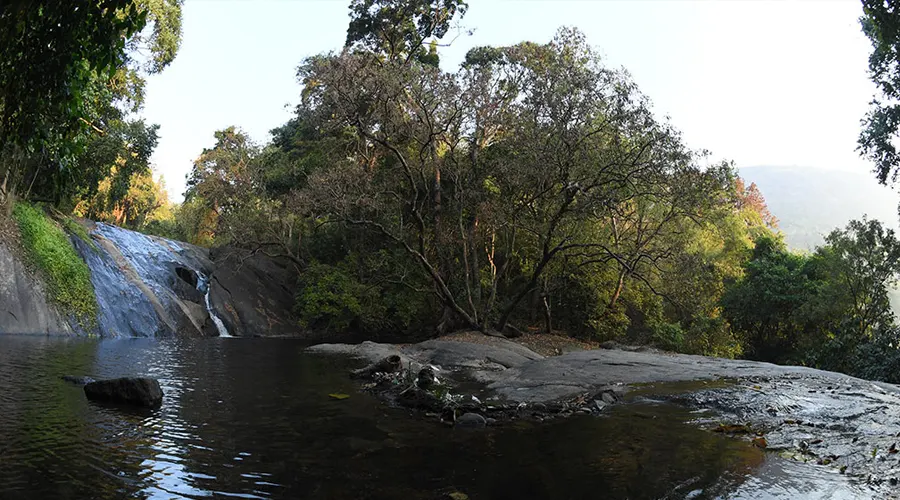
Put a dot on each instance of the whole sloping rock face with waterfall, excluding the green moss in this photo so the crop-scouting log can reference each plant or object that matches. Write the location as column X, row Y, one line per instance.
column 149, row 287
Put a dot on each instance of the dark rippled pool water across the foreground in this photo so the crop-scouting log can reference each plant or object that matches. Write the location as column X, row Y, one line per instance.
column 251, row 418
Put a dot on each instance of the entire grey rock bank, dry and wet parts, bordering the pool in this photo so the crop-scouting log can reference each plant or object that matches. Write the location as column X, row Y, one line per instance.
column 846, row 424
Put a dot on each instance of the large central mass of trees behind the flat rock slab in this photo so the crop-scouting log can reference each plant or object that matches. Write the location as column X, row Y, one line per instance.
column 531, row 188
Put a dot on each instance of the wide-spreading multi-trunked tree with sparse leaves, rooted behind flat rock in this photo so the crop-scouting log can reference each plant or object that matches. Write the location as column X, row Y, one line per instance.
column 488, row 176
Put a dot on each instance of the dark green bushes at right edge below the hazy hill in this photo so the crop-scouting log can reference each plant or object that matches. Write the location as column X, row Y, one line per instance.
column 829, row 309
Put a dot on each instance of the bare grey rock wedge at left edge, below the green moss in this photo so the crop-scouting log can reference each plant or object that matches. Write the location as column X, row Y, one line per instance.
column 24, row 307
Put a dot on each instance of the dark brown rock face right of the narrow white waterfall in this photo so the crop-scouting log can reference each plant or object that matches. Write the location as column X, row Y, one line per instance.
column 253, row 294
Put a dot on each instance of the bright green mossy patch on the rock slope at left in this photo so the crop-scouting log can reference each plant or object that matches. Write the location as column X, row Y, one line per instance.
column 68, row 277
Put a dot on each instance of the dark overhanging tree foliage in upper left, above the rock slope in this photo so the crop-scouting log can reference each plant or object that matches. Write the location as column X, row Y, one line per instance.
column 72, row 80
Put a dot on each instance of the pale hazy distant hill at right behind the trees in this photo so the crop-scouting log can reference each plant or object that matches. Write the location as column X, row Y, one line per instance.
column 810, row 202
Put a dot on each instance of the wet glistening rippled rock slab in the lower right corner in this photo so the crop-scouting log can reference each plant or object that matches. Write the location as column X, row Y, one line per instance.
column 847, row 424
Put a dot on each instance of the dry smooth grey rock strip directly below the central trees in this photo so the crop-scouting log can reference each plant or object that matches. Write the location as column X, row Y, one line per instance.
column 516, row 373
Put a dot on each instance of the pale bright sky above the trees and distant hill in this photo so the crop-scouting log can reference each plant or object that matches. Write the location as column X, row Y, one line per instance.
column 757, row 82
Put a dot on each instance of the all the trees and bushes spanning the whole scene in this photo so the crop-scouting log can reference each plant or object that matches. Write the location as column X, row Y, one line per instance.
column 531, row 189
